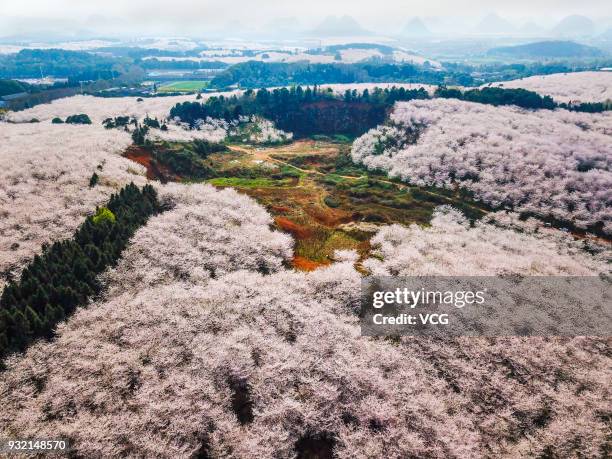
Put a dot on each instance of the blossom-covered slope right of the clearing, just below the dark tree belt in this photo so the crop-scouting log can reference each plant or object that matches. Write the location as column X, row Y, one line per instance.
column 548, row 163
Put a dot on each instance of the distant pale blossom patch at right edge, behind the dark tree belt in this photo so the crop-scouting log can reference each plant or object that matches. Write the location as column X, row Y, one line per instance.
column 568, row 87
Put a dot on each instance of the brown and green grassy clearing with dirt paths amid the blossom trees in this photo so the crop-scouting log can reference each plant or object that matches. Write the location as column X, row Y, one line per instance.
column 315, row 193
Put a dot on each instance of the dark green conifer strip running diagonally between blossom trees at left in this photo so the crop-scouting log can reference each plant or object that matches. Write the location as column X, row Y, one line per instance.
column 64, row 276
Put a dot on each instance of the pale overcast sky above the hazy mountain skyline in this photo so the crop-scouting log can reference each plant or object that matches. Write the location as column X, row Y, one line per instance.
column 180, row 17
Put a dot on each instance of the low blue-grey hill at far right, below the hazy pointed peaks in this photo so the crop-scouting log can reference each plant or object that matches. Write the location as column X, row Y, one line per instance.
column 547, row 49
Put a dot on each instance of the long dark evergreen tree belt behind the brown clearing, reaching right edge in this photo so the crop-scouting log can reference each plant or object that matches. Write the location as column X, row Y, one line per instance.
column 308, row 111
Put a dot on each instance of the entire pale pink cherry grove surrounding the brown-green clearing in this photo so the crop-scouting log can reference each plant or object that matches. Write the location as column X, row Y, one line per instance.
column 205, row 343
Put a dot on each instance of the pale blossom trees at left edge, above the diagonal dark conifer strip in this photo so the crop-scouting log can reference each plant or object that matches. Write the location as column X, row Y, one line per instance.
column 44, row 183
